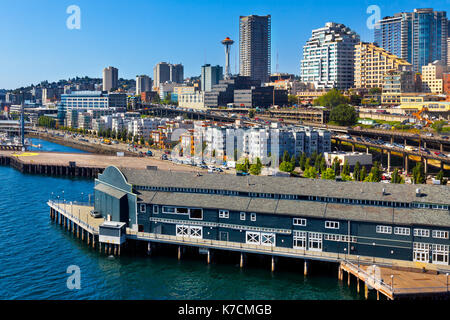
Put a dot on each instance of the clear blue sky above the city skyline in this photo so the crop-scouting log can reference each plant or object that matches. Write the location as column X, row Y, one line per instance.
column 134, row 35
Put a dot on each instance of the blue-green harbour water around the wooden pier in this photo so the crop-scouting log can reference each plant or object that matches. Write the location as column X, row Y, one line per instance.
column 35, row 254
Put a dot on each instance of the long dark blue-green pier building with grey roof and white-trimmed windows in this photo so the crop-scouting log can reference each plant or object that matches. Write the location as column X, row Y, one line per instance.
column 308, row 219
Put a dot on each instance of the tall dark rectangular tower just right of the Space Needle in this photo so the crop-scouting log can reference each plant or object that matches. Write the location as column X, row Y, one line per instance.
column 255, row 47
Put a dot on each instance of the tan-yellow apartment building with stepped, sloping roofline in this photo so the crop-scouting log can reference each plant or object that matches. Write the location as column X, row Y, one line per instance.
column 372, row 63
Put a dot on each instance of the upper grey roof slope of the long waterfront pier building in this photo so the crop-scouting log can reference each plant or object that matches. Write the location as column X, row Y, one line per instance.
column 432, row 194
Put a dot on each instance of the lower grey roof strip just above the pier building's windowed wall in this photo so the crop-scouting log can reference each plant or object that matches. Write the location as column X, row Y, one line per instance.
column 313, row 209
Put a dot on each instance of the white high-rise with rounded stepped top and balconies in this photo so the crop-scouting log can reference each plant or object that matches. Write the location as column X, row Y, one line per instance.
column 329, row 56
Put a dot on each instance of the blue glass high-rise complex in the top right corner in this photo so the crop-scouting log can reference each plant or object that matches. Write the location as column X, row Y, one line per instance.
column 419, row 37
